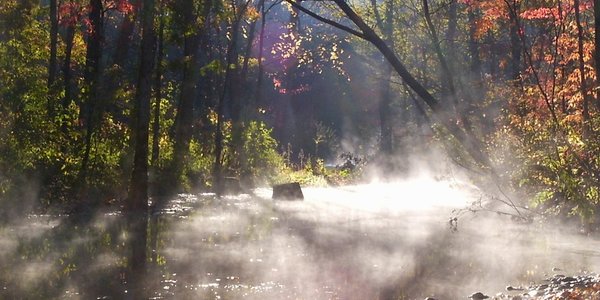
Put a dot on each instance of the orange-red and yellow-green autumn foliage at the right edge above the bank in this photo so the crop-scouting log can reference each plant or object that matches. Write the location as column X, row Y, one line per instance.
column 551, row 113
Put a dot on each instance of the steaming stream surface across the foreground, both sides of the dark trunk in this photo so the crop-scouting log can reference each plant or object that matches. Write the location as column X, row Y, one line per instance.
column 386, row 241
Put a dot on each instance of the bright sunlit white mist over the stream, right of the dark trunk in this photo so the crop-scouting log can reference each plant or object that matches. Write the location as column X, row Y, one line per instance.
column 382, row 240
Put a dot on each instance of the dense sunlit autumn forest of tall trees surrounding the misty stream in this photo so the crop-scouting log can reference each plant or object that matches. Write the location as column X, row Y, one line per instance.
column 130, row 103
